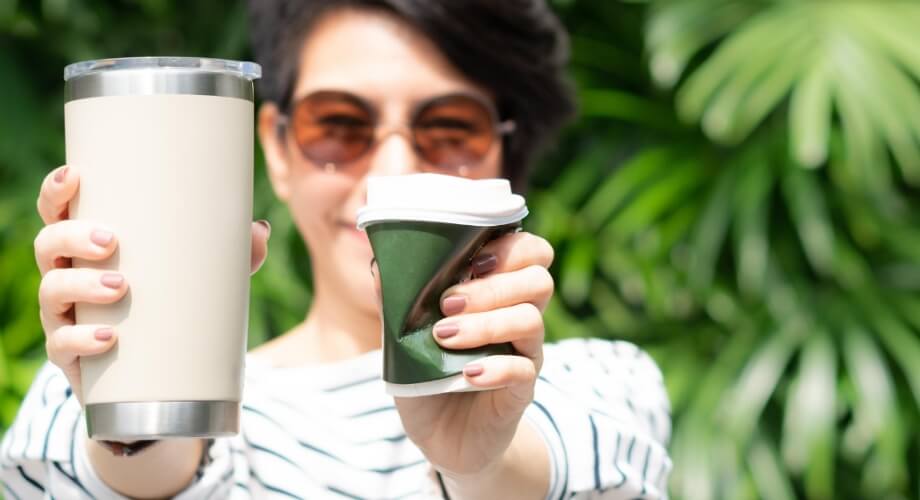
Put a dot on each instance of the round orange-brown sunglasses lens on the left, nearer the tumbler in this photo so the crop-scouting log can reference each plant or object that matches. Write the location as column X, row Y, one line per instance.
column 331, row 128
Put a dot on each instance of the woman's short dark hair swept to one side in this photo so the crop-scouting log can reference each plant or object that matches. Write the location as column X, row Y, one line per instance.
column 515, row 48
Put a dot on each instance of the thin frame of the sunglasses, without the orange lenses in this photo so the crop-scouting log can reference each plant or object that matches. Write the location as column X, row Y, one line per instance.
column 500, row 128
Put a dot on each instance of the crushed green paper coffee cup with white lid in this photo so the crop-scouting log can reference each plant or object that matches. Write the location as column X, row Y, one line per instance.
column 424, row 230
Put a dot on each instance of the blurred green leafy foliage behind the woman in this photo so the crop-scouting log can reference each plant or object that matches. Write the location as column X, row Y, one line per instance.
column 738, row 196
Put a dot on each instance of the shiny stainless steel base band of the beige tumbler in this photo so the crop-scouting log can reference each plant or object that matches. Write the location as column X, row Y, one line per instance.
column 162, row 419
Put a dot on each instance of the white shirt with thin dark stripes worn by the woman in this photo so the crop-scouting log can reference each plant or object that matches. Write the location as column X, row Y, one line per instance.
column 330, row 431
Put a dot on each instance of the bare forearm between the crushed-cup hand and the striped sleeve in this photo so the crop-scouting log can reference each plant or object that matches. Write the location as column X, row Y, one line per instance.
column 522, row 473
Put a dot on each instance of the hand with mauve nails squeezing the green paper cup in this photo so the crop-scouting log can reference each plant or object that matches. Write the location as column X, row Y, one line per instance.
column 468, row 433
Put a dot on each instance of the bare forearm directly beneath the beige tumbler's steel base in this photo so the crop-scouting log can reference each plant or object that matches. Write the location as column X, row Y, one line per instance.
column 160, row 471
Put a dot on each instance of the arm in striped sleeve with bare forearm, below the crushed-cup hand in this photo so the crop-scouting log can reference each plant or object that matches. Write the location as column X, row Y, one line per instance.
column 597, row 428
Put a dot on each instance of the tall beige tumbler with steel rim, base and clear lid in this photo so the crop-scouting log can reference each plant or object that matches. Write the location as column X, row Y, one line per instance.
column 164, row 148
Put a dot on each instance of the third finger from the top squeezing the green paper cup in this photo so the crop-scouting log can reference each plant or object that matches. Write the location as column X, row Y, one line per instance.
column 520, row 324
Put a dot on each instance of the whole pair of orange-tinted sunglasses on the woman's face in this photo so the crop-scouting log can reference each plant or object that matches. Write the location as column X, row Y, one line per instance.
column 452, row 134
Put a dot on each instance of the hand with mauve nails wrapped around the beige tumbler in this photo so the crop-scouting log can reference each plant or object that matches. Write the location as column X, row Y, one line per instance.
column 62, row 286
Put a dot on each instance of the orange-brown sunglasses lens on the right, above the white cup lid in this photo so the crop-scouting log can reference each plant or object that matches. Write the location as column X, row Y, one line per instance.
column 454, row 132
